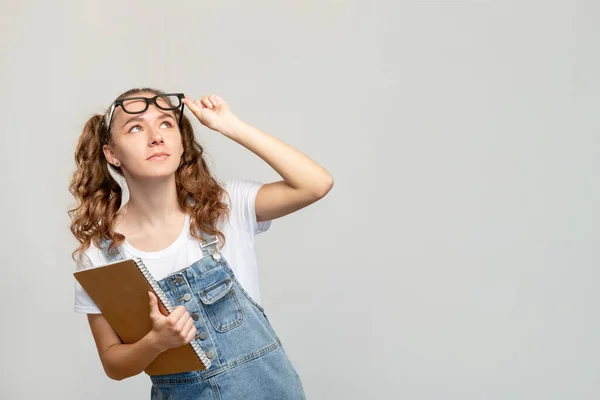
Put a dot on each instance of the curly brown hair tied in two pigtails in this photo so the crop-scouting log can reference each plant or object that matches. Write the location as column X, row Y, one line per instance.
column 99, row 195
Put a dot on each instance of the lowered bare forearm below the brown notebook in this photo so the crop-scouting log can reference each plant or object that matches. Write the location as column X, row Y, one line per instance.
column 125, row 360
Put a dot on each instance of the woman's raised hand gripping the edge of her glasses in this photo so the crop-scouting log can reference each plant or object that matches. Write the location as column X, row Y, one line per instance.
column 212, row 112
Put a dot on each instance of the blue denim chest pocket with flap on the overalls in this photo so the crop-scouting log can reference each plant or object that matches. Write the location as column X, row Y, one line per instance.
column 222, row 305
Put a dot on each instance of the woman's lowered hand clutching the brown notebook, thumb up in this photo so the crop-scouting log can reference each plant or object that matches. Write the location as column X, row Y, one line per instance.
column 173, row 330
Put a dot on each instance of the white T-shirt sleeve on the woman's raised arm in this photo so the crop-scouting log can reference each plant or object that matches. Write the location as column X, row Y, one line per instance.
column 243, row 201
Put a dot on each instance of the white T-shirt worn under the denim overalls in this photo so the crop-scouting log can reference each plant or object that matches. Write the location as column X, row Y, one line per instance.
column 239, row 230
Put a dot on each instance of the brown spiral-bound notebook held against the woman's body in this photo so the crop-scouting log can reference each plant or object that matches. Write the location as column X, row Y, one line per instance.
column 120, row 290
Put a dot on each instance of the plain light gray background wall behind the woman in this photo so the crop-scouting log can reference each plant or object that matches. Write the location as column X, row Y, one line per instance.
column 456, row 256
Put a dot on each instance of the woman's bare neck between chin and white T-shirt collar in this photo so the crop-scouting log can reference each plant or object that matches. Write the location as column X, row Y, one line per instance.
column 152, row 204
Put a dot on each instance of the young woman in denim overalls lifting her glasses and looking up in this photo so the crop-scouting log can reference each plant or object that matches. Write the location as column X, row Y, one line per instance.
column 195, row 235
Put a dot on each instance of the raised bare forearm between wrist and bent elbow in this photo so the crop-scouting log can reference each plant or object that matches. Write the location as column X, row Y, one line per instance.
column 298, row 170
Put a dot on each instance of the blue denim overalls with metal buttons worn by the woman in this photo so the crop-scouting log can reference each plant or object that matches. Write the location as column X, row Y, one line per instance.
column 247, row 357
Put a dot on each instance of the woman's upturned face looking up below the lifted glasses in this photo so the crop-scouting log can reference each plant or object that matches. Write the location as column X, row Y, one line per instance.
column 147, row 144
